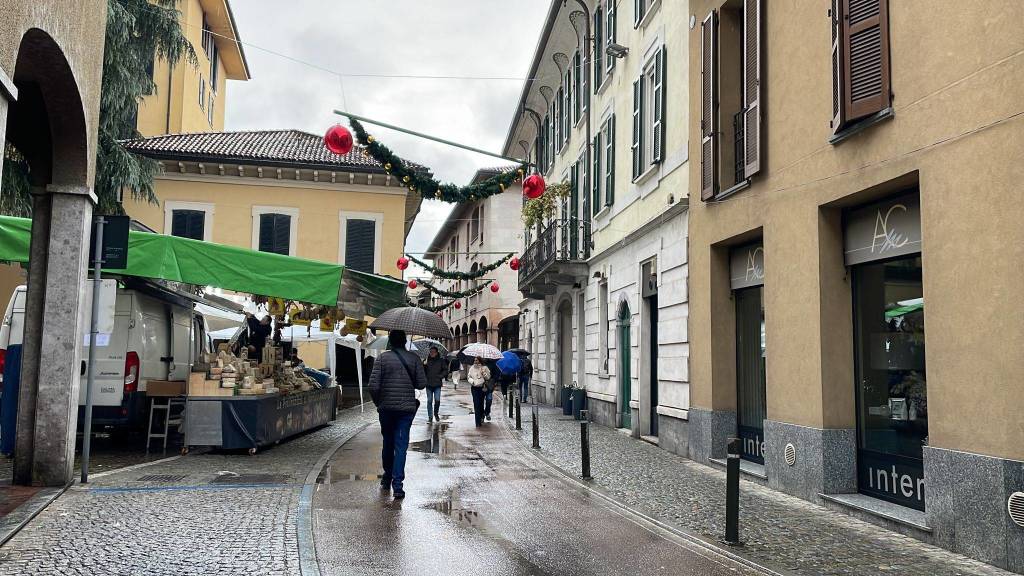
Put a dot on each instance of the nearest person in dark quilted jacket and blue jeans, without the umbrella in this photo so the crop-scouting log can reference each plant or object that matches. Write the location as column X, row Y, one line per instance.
column 397, row 377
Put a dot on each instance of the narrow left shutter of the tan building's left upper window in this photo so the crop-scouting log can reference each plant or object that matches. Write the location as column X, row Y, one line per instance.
column 709, row 107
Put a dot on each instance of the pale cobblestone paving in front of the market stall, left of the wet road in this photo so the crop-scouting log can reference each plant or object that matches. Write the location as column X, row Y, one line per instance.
column 201, row 514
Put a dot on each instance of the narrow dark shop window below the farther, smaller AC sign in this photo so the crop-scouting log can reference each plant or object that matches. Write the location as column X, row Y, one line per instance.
column 751, row 412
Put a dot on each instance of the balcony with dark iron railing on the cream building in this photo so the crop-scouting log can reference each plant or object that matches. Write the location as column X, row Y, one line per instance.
column 558, row 258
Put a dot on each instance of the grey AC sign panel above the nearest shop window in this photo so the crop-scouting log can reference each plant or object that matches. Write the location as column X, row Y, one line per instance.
column 885, row 230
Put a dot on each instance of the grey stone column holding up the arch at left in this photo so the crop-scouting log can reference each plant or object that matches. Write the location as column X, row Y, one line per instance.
column 52, row 365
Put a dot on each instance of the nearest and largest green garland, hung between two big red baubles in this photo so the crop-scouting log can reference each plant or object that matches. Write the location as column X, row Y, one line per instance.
column 424, row 183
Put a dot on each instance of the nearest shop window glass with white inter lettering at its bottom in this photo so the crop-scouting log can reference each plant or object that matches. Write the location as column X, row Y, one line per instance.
column 892, row 400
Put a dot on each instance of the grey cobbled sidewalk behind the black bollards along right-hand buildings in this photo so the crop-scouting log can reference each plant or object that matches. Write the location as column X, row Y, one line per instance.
column 782, row 531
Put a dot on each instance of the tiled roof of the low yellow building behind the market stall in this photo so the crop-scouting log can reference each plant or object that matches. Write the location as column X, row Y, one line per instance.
column 263, row 147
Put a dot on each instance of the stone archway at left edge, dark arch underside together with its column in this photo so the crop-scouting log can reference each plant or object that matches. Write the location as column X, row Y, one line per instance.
column 49, row 125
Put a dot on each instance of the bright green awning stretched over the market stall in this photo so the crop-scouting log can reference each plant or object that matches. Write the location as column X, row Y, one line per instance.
column 251, row 272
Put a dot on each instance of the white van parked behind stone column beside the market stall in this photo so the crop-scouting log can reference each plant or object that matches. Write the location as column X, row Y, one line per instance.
column 150, row 342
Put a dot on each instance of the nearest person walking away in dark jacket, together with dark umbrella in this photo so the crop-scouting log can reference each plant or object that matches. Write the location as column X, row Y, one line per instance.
column 396, row 378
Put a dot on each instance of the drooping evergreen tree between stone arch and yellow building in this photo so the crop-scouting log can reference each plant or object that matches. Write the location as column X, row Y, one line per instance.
column 139, row 33
